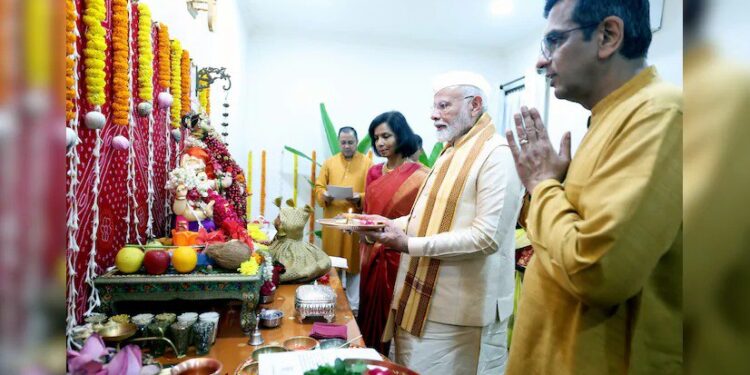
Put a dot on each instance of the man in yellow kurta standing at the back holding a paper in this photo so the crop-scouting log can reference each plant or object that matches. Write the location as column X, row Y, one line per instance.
column 347, row 168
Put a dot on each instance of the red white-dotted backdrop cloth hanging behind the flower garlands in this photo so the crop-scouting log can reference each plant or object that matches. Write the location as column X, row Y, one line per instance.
column 113, row 199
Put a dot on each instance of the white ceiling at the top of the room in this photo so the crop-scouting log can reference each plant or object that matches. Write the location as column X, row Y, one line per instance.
column 433, row 23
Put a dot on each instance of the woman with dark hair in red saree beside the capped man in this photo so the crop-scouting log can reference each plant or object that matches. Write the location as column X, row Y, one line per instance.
column 391, row 189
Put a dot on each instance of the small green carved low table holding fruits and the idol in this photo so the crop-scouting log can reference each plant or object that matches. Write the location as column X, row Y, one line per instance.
column 115, row 287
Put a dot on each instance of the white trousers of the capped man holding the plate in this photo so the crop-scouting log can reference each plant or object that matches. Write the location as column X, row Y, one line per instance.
column 449, row 349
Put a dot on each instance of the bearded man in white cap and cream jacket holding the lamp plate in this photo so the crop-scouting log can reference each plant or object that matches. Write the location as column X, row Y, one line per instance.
column 454, row 289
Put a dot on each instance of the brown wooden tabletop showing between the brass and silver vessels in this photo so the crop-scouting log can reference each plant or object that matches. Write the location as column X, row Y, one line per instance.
column 231, row 347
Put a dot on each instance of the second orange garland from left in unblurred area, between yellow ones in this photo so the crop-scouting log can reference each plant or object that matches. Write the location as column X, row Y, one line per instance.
column 120, row 63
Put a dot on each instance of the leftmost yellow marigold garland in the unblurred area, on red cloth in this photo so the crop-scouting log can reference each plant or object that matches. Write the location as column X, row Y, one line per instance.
column 94, row 53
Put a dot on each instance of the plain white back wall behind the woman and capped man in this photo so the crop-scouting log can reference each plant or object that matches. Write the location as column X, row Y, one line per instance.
column 287, row 77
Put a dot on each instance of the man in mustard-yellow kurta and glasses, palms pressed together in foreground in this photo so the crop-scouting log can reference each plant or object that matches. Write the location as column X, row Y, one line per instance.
column 603, row 293
